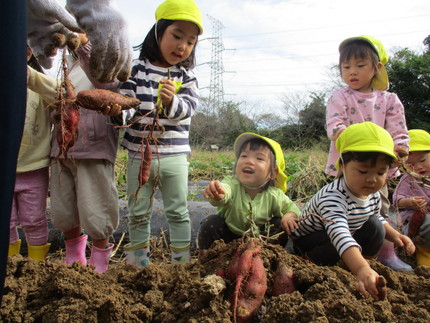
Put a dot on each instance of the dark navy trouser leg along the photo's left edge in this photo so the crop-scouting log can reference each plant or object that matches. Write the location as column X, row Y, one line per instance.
column 13, row 91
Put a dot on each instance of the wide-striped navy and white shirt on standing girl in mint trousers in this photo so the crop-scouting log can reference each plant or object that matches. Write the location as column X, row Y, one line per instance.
column 144, row 84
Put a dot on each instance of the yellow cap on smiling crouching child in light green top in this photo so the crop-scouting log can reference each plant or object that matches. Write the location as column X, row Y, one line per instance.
column 281, row 179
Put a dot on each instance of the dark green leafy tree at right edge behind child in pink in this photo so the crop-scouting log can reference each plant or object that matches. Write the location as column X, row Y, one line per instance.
column 409, row 75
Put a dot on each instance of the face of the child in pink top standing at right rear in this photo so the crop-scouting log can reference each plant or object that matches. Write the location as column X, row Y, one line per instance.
column 358, row 74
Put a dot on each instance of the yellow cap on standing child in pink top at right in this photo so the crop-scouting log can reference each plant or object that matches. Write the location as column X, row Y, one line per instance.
column 380, row 81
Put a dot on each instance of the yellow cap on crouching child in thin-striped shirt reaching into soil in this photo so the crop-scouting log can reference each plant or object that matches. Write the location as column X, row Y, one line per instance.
column 365, row 136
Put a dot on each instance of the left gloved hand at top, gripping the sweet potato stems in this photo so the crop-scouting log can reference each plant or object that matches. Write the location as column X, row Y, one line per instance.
column 46, row 18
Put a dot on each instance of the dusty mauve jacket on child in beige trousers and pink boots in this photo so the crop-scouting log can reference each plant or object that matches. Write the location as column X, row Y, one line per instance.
column 97, row 137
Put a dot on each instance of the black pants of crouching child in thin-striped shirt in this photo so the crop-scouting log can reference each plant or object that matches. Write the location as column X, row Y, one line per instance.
column 318, row 247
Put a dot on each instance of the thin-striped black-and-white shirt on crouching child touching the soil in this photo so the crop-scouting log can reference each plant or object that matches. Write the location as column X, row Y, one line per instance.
column 337, row 211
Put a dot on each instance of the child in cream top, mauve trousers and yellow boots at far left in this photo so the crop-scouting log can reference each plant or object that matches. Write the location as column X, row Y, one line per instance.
column 32, row 172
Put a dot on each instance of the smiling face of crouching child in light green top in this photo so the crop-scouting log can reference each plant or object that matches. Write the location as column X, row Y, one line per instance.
column 253, row 167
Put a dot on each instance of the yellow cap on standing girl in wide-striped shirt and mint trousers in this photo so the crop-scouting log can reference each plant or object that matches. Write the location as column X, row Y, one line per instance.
column 180, row 10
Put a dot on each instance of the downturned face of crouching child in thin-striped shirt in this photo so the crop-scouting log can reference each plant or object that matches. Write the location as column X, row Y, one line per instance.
column 363, row 178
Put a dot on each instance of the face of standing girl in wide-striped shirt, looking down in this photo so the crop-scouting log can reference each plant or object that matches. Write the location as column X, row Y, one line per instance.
column 178, row 41
